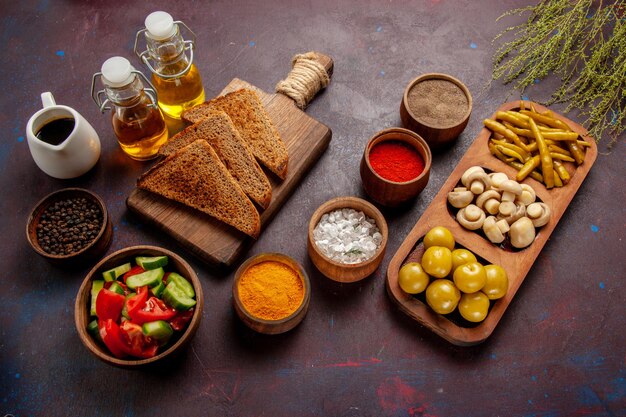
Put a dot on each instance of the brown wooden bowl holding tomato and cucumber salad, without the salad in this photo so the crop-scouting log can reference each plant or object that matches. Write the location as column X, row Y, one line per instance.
column 83, row 301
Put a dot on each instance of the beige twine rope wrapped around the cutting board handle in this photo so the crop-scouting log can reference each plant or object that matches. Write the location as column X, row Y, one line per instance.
column 306, row 78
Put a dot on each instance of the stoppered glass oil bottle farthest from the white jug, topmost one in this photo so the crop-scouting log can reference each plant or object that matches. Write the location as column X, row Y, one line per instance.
column 170, row 60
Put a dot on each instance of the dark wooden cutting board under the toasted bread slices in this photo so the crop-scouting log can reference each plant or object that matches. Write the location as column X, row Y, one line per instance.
column 212, row 241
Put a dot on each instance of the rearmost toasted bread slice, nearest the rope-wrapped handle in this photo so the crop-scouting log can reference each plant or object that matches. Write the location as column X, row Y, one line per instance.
column 254, row 125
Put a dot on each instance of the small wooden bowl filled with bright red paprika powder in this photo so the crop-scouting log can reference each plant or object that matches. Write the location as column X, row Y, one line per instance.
column 395, row 166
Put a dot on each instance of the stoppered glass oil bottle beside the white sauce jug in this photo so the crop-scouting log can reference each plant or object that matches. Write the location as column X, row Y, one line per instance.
column 137, row 121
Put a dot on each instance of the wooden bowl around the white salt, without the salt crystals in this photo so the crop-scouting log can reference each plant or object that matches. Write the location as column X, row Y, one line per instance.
column 346, row 272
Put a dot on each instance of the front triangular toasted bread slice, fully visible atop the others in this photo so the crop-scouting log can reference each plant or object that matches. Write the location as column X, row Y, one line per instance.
column 195, row 176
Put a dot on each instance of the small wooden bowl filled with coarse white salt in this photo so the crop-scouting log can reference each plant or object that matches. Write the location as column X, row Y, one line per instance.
column 347, row 239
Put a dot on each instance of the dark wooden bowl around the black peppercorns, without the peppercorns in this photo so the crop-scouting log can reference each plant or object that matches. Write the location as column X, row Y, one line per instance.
column 90, row 252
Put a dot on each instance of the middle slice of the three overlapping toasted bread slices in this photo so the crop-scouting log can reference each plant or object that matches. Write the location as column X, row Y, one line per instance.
column 218, row 130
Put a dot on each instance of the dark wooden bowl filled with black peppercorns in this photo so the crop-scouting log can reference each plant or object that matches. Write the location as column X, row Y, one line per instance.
column 70, row 227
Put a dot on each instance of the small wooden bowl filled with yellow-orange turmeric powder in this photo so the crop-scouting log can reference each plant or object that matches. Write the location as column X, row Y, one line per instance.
column 271, row 293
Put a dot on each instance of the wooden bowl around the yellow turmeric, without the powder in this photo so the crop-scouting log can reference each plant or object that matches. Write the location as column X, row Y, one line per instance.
column 272, row 326
